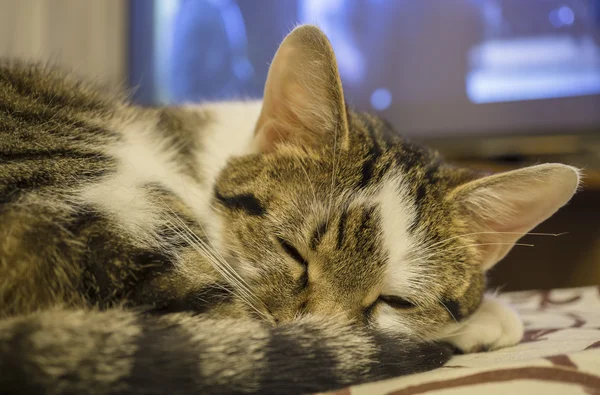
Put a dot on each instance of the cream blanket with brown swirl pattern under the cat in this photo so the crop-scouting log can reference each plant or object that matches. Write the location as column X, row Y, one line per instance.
column 559, row 354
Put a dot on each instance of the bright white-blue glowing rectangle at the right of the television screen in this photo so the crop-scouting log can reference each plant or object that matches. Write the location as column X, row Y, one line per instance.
column 552, row 66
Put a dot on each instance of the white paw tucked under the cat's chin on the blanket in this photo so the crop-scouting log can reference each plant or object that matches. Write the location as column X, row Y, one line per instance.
column 493, row 326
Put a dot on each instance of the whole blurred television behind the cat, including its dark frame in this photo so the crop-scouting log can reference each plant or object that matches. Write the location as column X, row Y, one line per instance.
column 431, row 67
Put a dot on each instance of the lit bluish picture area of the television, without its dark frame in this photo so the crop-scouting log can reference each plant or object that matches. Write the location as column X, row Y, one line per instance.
column 387, row 50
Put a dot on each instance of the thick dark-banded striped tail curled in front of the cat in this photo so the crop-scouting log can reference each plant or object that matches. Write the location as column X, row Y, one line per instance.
column 119, row 351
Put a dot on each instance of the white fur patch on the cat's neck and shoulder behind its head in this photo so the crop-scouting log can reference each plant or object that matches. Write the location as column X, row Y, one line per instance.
column 144, row 157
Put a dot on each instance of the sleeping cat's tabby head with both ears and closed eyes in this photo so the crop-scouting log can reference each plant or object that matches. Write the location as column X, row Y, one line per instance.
column 336, row 214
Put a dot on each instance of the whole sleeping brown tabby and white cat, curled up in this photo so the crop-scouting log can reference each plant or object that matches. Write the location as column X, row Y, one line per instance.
column 284, row 246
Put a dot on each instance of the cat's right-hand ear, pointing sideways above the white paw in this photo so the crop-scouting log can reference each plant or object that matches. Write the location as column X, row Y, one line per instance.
column 505, row 206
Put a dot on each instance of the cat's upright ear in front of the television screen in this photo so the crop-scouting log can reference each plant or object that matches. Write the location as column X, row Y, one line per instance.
column 303, row 98
